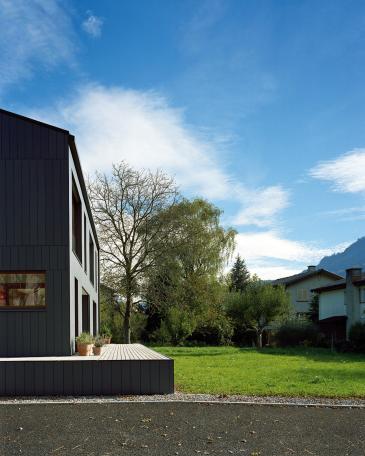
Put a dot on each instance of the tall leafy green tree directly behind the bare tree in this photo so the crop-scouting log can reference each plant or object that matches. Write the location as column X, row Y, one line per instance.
column 187, row 277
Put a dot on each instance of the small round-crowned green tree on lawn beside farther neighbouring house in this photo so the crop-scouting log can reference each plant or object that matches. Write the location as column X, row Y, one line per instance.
column 259, row 305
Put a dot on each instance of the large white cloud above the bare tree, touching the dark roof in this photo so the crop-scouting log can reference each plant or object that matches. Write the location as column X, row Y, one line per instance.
column 112, row 124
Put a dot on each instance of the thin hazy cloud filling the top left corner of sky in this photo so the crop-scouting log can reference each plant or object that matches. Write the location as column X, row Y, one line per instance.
column 33, row 33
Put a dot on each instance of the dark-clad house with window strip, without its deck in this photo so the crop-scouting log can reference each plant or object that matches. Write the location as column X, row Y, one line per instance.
column 42, row 190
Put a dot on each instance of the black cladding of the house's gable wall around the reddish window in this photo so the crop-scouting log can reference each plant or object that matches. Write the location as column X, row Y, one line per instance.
column 34, row 232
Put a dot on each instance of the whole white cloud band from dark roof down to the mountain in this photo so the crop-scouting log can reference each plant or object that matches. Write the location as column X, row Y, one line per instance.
column 113, row 123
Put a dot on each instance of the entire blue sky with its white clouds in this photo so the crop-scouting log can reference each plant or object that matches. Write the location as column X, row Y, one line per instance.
column 258, row 106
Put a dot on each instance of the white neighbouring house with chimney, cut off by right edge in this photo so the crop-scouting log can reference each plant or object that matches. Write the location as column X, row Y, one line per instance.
column 342, row 303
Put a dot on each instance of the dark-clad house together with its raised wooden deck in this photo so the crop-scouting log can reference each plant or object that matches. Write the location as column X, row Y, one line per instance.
column 49, row 275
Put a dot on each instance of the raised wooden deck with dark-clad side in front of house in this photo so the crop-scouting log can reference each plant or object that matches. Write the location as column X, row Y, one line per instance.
column 120, row 369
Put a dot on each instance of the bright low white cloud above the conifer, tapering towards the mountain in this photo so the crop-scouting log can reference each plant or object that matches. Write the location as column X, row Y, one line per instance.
column 270, row 255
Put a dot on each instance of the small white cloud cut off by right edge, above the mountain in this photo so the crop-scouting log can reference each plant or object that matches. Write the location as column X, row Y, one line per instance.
column 346, row 173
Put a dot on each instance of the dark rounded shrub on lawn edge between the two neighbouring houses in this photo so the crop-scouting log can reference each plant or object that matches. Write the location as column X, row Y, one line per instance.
column 298, row 333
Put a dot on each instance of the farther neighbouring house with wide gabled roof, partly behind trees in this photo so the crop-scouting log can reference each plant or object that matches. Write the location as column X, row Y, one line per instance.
column 299, row 286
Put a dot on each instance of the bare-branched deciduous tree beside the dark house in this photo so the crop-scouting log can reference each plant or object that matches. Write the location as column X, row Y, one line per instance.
column 129, row 208
